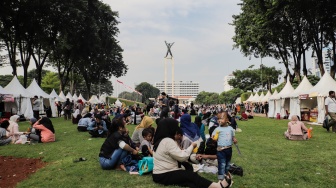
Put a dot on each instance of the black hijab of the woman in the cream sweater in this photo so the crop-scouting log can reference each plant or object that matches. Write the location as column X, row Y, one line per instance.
column 167, row 128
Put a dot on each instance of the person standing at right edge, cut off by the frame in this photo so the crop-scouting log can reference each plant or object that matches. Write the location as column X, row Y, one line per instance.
column 330, row 108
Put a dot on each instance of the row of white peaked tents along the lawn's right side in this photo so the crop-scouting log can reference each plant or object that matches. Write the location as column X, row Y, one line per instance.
column 289, row 99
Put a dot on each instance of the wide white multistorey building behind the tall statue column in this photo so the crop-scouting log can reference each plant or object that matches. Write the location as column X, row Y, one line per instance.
column 181, row 88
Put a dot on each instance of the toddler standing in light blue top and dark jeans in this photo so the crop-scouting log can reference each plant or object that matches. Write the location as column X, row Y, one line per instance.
column 224, row 135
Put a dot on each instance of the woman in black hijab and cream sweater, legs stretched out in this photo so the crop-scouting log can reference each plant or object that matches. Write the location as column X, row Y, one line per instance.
column 166, row 156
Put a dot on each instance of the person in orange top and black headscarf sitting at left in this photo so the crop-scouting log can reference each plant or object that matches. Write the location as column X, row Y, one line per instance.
column 47, row 131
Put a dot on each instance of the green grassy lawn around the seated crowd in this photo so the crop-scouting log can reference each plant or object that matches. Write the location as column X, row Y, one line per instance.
column 267, row 158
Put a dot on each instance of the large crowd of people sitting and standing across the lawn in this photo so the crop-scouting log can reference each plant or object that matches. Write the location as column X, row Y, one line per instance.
column 176, row 145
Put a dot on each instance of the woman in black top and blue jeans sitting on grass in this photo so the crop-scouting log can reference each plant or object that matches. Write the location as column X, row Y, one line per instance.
column 114, row 148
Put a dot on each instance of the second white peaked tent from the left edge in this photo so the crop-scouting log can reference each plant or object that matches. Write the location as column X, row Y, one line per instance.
column 47, row 99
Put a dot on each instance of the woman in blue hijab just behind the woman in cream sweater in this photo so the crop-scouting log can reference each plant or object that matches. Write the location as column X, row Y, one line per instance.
column 190, row 130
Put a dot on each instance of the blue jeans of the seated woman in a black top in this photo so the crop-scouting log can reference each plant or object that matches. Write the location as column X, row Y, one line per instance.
column 117, row 156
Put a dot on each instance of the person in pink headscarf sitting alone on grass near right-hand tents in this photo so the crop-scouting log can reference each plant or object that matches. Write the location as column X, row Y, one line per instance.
column 296, row 130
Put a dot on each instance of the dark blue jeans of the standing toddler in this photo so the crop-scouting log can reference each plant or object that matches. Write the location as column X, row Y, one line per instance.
column 223, row 158
